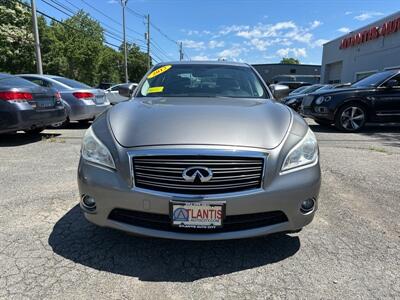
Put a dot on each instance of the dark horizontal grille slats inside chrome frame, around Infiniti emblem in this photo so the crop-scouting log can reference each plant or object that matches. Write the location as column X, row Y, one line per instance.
column 230, row 174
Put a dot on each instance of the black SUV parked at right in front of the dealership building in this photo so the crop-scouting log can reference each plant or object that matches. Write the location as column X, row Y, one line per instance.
column 375, row 98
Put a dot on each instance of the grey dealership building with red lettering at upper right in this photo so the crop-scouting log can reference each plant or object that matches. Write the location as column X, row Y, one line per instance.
column 367, row 50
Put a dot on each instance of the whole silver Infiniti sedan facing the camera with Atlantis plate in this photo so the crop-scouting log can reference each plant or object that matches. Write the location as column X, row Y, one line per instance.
column 202, row 152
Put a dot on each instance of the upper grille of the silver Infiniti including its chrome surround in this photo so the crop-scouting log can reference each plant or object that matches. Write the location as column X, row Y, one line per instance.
column 158, row 171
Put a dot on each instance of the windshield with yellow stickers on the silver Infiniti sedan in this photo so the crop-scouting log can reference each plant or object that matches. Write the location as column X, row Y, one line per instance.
column 199, row 80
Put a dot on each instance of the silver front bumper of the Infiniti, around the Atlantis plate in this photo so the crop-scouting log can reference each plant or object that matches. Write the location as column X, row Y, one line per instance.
column 284, row 193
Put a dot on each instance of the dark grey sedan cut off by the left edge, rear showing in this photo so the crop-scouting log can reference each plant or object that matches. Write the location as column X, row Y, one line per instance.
column 27, row 106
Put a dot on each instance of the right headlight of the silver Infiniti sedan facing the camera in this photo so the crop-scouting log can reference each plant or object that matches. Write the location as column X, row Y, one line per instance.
column 304, row 153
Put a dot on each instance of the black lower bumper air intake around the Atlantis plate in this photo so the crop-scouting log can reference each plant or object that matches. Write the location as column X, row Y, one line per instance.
column 230, row 223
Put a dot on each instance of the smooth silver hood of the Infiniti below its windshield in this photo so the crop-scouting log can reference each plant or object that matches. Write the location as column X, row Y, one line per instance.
column 199, row 121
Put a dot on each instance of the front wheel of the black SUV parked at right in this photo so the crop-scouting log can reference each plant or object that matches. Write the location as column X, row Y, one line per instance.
column 351, row 117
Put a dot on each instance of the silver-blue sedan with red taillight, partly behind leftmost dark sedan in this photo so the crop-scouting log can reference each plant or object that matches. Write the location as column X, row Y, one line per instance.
column 83, row 103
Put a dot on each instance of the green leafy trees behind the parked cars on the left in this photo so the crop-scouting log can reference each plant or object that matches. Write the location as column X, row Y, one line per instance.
column 74, row 49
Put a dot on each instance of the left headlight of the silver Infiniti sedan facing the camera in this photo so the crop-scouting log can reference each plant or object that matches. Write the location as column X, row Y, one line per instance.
column 94, row 150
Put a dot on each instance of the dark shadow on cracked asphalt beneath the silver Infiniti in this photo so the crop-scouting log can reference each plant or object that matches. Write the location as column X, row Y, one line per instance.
column 162, row 260
